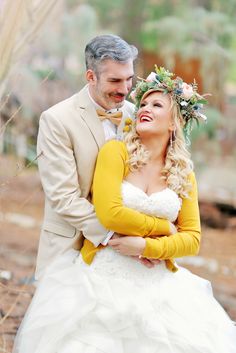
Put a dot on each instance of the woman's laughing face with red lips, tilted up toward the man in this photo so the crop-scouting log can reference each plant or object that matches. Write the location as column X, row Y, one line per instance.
column 154, row 116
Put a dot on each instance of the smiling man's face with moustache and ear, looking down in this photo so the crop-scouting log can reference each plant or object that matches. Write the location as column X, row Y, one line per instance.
column 111, row 85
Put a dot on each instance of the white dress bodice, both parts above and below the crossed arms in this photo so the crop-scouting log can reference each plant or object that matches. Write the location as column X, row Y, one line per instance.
column 163, row 204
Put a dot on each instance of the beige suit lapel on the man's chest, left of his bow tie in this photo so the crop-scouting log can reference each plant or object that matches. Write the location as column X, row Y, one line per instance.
column 89, row 115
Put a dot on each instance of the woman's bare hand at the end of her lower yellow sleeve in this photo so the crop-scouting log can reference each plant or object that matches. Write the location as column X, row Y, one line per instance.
column 130, row 246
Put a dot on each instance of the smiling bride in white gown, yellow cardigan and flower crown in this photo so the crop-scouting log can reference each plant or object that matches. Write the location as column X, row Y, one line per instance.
column 101, row 300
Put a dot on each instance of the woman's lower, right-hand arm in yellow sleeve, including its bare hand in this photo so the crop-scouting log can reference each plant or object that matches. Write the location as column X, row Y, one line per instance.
column 185, row 242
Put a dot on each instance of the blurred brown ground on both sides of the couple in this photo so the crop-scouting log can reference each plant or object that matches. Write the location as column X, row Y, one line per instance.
column 21, row 211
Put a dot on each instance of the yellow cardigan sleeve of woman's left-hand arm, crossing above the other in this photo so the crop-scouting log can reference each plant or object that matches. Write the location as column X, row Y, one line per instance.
column 110, row 171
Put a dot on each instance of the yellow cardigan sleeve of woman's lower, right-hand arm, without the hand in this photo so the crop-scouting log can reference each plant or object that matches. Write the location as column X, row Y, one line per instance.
column 186, row 241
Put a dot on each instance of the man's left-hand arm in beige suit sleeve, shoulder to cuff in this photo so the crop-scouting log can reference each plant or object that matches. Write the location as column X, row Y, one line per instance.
column 58, row 172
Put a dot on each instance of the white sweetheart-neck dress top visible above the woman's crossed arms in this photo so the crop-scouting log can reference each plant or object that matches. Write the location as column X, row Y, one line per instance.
column 164, row 204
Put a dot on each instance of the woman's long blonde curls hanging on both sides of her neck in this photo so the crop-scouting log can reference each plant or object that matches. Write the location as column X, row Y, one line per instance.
column 178, row 164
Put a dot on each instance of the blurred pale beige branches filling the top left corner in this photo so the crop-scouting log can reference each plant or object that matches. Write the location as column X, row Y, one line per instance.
column 19, row 22
